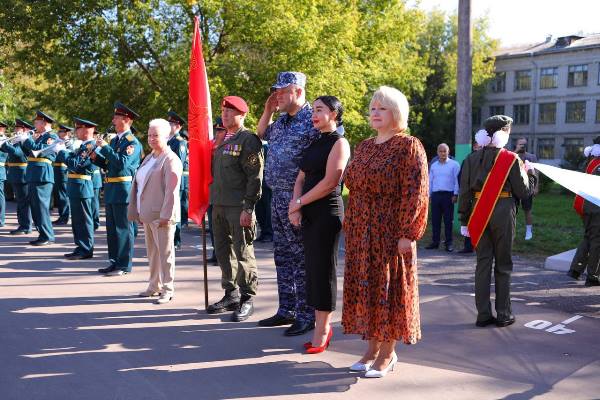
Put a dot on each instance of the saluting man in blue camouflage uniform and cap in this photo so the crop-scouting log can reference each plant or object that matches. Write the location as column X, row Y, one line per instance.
column 288, row 138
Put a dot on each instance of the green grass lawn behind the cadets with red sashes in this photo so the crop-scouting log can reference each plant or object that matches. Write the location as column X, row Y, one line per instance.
column 556, row 226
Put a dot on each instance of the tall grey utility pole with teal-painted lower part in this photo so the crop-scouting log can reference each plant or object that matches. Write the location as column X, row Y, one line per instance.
column 464, row 82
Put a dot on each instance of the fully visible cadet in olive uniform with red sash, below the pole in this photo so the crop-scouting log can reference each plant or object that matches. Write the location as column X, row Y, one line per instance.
column 496, row 239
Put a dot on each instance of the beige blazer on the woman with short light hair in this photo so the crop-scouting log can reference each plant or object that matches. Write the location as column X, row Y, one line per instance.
column 159, row 191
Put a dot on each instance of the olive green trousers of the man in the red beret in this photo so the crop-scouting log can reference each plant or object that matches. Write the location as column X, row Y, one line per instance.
column 234, row 250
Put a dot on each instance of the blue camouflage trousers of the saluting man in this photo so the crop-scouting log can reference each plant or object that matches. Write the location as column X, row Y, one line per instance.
column 289, row 261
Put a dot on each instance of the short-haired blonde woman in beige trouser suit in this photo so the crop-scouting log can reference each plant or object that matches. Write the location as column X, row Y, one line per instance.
column 154, row 202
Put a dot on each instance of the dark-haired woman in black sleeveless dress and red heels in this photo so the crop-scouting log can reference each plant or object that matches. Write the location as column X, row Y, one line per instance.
column 317, row 206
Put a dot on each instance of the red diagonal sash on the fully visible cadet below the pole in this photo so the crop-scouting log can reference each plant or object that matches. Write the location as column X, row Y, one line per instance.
column 484, row 205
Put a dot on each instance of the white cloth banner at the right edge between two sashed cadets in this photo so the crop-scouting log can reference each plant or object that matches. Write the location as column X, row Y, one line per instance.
column 582, row 184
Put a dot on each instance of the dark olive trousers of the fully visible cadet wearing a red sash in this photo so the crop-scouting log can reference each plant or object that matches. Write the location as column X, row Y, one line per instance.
column 496, row 245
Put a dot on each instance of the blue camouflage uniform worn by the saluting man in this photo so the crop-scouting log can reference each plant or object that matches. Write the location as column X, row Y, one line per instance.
column 288, row 137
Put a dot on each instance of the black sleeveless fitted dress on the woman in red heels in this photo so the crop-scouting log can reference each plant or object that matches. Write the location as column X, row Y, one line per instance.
column 321, row 226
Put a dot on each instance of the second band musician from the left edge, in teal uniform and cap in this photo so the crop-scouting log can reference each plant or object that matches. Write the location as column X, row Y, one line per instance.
column 16, row 164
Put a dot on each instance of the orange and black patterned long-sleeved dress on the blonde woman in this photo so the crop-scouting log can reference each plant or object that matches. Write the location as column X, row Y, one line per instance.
column 389, row 195
